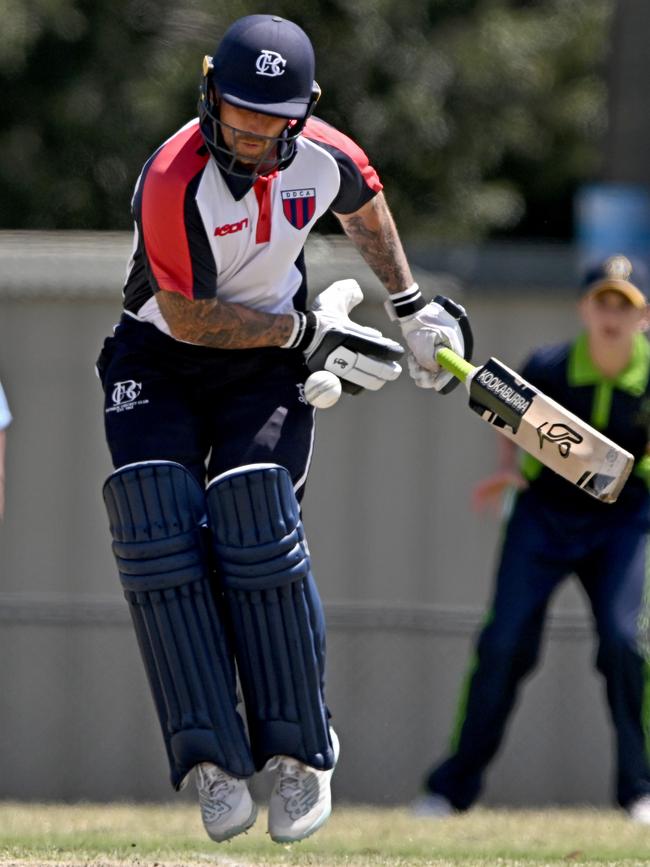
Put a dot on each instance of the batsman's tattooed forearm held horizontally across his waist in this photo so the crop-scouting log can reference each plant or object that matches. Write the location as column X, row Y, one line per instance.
column 222, row 325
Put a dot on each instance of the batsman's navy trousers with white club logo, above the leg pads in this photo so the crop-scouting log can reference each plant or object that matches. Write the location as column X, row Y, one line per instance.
column 210, row 410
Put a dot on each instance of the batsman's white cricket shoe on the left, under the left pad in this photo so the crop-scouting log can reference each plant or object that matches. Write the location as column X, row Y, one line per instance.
column 227, row 808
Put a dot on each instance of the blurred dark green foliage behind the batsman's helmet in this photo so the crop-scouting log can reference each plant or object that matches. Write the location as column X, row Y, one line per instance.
column 480, row 115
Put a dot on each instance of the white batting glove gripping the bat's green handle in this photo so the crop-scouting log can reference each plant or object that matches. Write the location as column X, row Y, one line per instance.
column 427, row 328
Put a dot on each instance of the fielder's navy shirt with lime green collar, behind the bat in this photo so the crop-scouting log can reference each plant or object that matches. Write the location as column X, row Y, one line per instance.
column 619, row 408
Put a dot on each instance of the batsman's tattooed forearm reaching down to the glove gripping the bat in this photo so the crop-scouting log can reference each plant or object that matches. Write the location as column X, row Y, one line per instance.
column 373, row 231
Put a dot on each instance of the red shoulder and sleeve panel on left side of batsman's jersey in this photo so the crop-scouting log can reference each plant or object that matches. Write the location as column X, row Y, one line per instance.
column 164, row 231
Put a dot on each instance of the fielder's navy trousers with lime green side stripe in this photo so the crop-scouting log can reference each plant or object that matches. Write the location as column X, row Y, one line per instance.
column 607, row 552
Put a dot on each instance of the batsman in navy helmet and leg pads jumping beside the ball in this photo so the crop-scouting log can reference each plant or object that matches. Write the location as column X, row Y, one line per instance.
column 210, row 433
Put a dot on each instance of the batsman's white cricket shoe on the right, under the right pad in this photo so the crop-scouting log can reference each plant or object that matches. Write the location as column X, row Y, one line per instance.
column 301, row 800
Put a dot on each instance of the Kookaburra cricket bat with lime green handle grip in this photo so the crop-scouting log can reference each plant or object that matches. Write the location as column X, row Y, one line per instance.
column 542, row 427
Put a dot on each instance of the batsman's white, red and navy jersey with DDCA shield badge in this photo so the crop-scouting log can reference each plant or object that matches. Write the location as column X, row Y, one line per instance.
column 194, row 236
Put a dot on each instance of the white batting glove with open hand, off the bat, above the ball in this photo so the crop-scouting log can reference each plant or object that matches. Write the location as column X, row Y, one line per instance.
column 360, row 356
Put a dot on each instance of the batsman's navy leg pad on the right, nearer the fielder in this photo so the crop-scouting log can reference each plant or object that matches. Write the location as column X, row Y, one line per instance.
column 275, row 611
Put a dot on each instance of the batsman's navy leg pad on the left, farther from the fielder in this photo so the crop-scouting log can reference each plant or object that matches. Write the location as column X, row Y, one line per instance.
column 157, row 516
